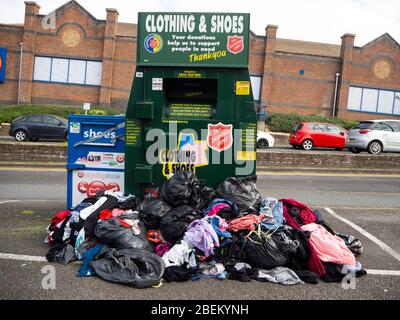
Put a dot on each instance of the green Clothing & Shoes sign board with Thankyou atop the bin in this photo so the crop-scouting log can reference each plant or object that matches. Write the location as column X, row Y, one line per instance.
column 196, row 39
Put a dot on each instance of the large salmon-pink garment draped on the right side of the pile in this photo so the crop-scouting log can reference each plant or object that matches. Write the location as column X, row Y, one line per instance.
column 329, row 248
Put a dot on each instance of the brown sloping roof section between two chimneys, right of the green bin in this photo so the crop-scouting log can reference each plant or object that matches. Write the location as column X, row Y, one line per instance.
column 308, row 48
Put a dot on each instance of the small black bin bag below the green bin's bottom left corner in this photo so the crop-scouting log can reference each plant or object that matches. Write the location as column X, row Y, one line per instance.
column 151, row 211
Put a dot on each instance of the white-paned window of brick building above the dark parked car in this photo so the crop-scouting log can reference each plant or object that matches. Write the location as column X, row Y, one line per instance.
column 67, row 71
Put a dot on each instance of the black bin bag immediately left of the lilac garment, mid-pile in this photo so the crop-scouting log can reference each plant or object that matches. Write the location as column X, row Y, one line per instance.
column 175, row 223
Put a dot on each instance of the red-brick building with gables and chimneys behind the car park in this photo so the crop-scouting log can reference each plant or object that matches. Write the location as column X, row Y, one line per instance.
column 70, row 57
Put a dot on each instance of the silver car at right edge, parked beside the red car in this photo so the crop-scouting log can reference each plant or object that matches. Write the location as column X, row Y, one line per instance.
column 374, row 136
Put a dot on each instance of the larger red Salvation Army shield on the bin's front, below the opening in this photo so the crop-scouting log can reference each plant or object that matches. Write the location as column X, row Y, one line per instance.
column 219, row 136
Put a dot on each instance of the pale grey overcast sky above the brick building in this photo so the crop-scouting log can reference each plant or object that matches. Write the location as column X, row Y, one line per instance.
column 312, row 20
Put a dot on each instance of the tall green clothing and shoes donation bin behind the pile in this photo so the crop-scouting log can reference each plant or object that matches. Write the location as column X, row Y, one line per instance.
column 191, row 106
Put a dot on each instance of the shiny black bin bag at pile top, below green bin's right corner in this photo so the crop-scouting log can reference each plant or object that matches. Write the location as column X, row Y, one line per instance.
column 243, row 192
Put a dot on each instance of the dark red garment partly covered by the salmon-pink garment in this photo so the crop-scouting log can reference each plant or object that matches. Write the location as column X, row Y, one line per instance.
column 307, row 216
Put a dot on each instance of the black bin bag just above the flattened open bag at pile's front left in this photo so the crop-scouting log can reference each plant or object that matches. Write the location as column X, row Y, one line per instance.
column 114, row 234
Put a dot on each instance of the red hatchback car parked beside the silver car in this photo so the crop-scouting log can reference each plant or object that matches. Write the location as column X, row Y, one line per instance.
column 308, row 135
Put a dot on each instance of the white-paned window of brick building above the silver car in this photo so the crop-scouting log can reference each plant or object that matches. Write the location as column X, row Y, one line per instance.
column 374, row 100
